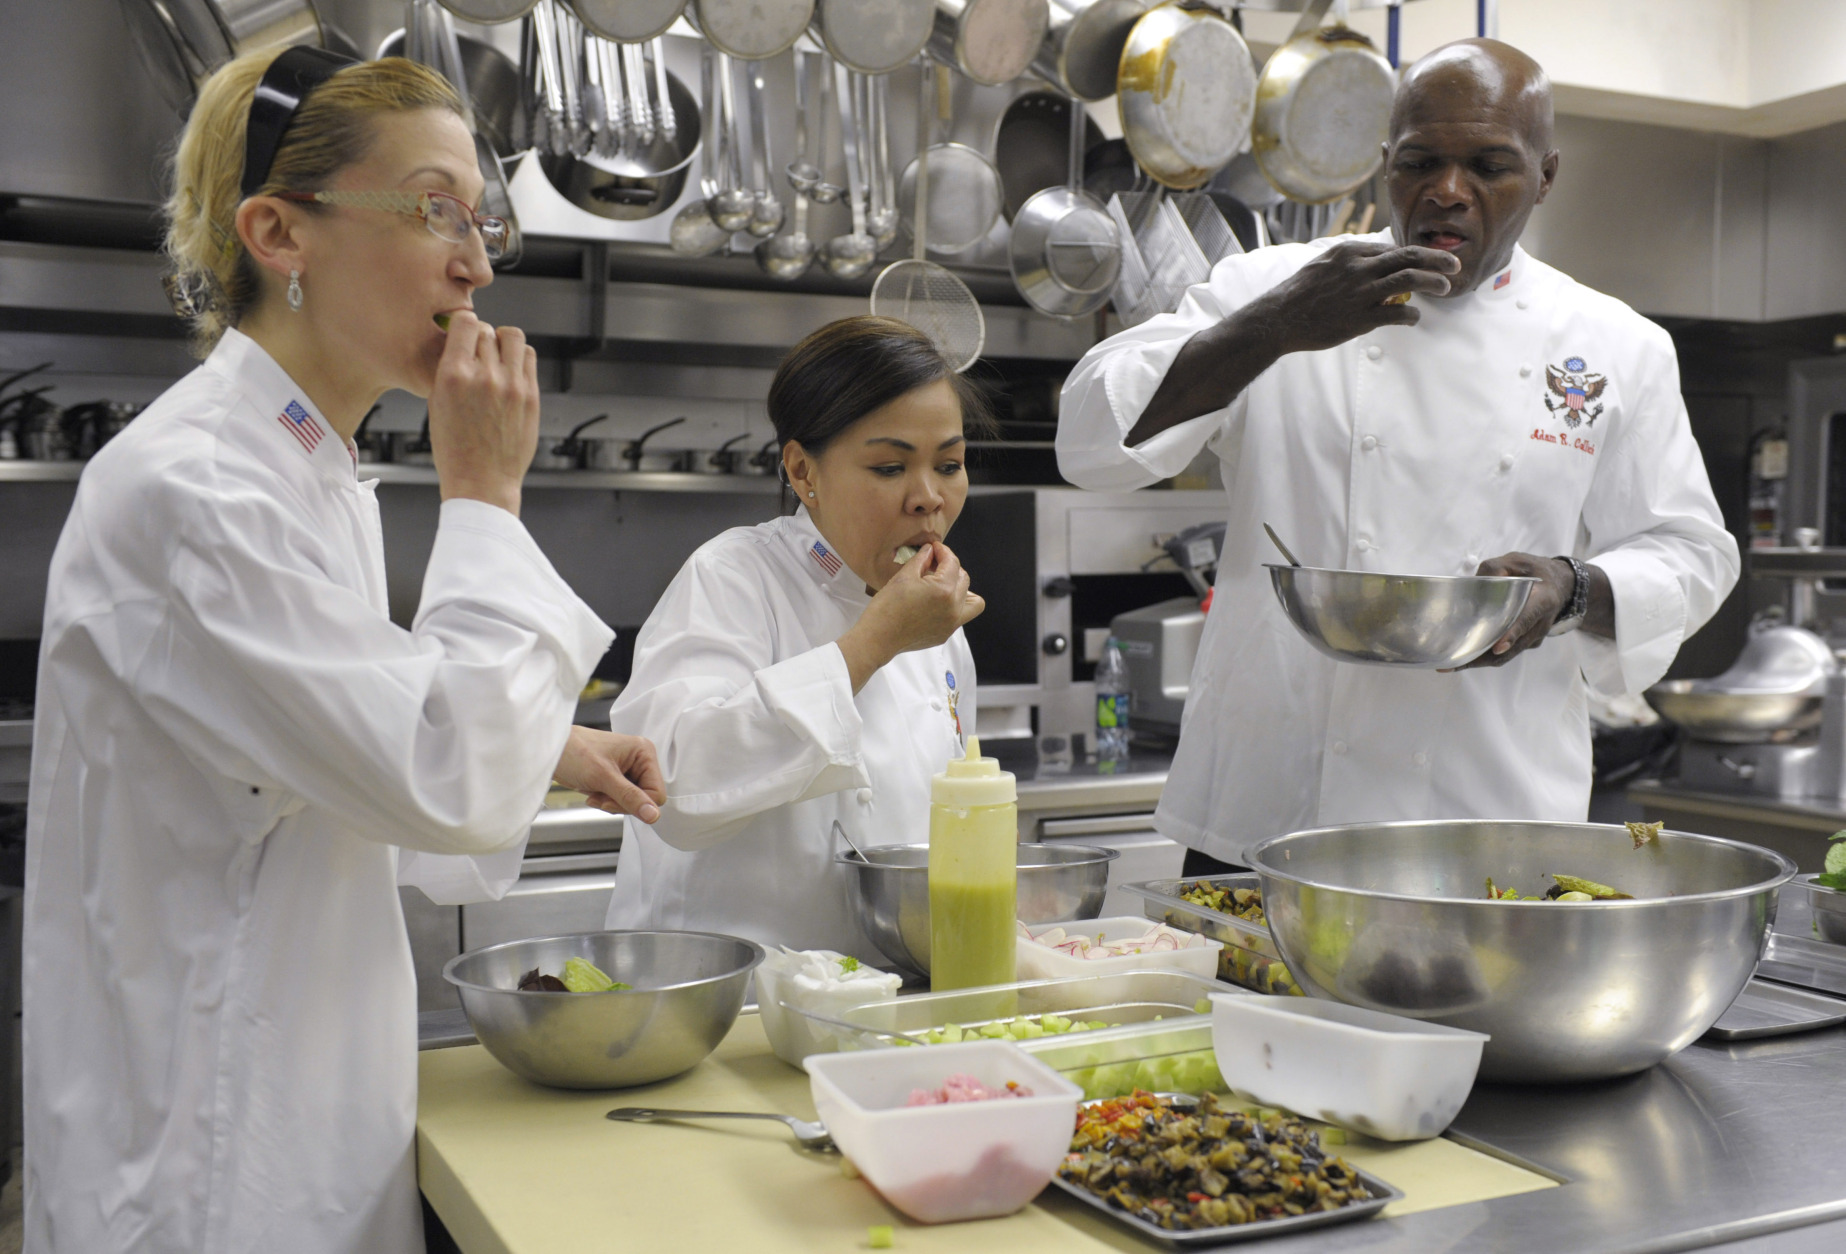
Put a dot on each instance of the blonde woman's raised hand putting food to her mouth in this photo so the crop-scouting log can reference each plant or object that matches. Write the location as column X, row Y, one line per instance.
column 485, row 411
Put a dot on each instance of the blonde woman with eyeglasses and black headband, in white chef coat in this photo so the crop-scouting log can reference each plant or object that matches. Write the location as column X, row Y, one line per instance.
column 237, row 753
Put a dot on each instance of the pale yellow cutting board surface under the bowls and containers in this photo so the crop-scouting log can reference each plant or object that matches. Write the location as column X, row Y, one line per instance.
column 514, row 1168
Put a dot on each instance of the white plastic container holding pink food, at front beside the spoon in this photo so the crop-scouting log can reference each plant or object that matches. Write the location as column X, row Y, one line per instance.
column 965, row 1161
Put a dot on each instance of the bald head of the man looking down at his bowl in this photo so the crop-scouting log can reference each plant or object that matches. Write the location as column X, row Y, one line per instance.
column 1470, row 154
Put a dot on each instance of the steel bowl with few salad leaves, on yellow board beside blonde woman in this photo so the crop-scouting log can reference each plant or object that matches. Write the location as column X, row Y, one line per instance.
column 688, row 993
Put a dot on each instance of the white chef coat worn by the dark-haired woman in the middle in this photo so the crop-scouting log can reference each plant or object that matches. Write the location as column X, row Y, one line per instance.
column 763, row 743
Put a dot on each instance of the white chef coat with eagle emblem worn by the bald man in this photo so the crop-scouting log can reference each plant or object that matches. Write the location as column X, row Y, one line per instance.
column 1424, row 452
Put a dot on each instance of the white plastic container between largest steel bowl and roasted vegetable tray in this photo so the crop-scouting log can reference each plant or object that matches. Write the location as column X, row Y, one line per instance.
column 1378, row 1074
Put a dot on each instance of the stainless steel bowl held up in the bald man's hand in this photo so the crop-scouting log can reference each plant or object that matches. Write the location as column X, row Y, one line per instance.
column 1433, row 621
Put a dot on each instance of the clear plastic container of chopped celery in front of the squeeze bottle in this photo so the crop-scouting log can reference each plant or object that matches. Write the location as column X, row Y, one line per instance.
column 1110, row 1000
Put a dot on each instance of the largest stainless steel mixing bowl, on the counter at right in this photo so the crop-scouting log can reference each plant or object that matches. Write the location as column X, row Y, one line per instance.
column 1395, row 917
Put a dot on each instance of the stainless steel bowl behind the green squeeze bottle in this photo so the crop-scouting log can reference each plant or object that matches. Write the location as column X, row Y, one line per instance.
column 891, row 893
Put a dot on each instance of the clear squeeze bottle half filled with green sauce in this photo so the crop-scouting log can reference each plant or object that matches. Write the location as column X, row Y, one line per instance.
column 974, row 873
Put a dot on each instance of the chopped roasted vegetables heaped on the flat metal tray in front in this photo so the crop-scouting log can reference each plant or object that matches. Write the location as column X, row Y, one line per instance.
column 1197, row 1166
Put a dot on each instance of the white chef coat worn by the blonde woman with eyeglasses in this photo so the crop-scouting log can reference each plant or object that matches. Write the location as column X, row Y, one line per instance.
column 234, row 743
